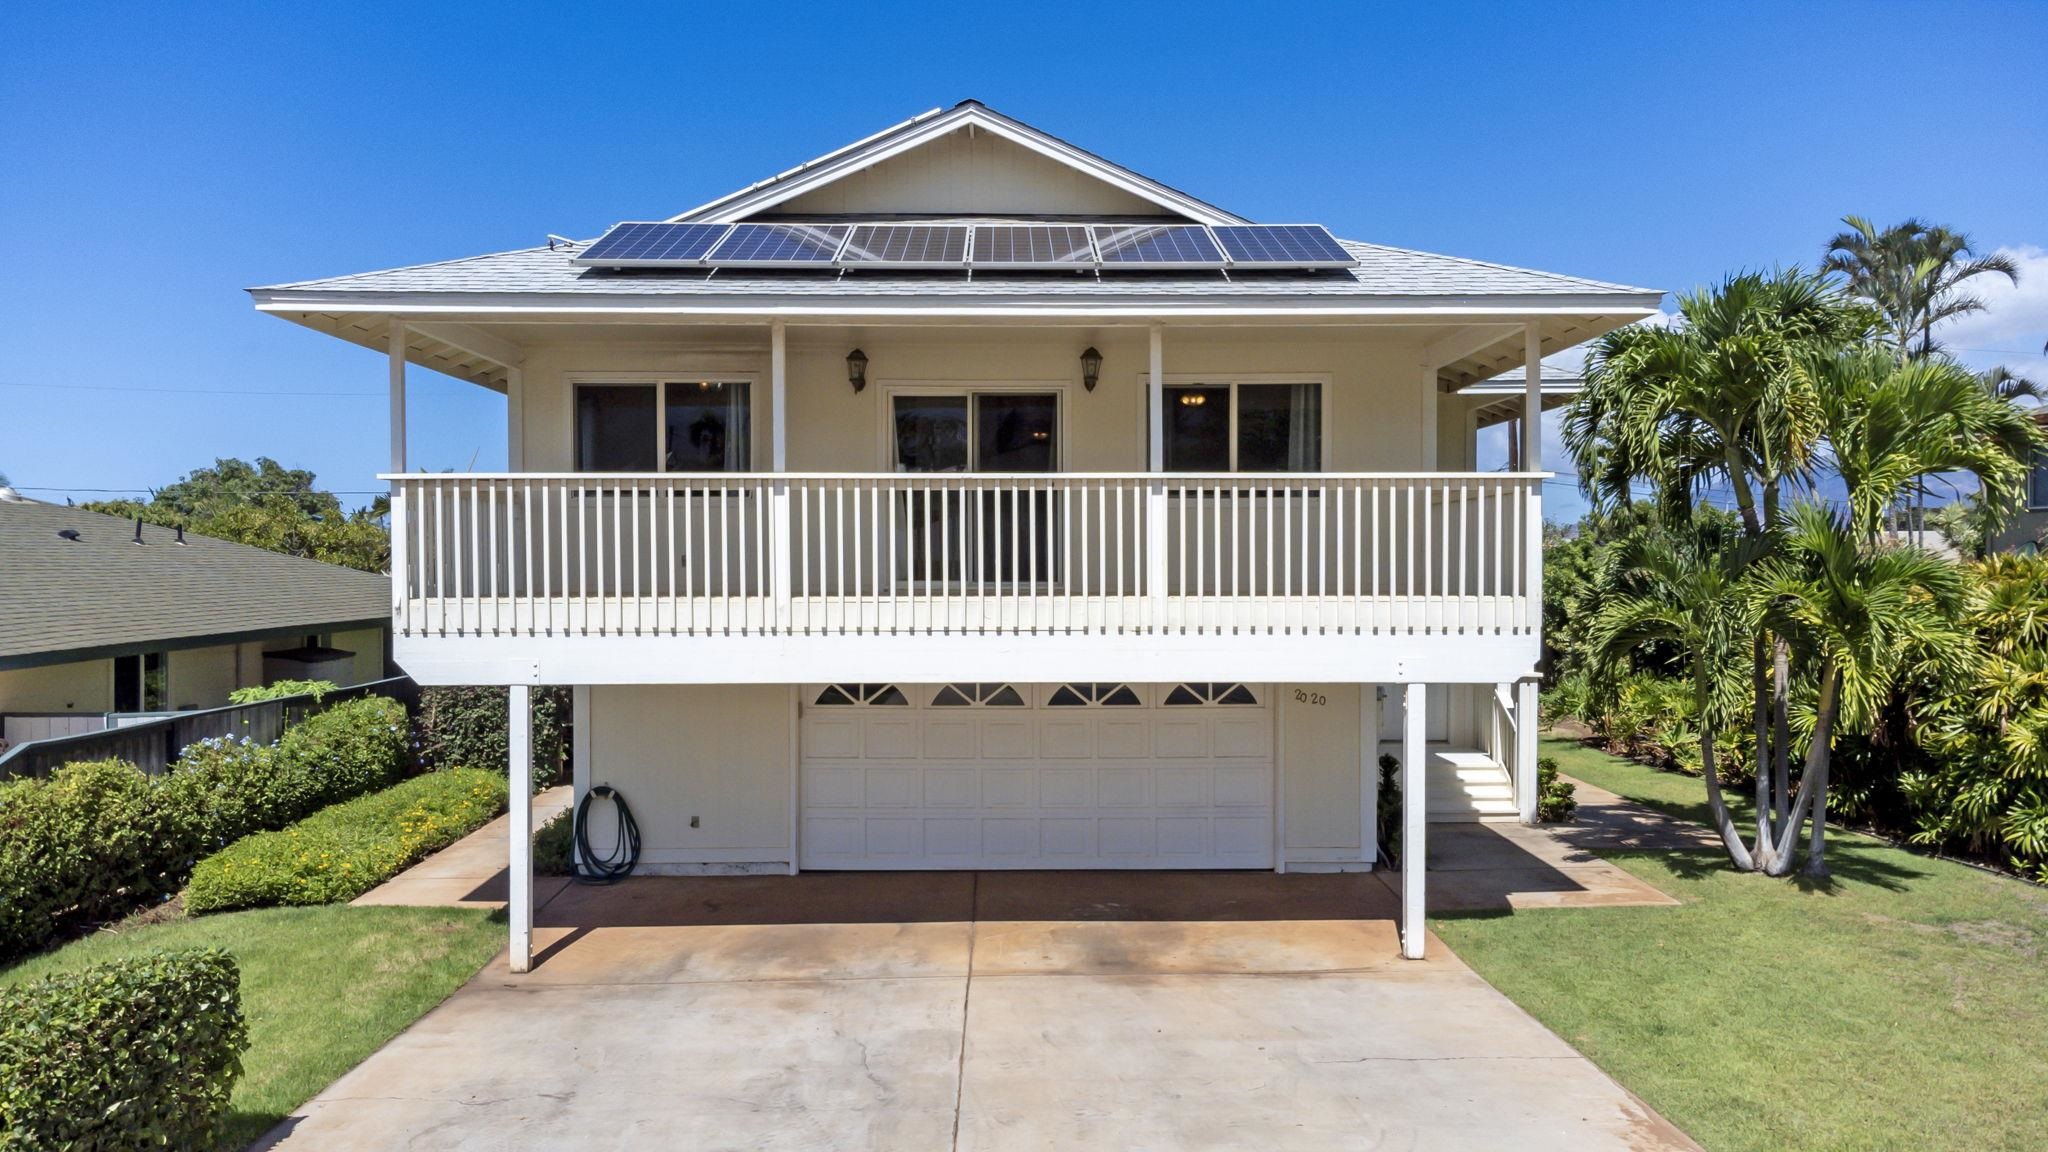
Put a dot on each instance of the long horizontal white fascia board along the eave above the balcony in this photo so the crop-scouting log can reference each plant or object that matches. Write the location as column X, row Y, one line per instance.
column 951, row 308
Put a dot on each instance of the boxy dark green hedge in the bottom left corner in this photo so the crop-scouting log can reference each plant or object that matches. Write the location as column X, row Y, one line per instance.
column 126, row 1055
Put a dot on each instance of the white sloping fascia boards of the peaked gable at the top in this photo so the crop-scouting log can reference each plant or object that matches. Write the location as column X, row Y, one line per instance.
column 914, row 134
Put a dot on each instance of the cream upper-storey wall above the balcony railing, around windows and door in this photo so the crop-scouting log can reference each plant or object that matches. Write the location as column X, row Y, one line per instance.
column 1373, row 386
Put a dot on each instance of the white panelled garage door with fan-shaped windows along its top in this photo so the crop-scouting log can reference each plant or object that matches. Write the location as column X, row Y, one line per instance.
column 1037, row 776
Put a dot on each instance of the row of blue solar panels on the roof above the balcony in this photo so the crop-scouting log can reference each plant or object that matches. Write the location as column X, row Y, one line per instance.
column 994, row 247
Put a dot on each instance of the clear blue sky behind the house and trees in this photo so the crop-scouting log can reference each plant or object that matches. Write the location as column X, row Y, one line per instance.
column 159, row 159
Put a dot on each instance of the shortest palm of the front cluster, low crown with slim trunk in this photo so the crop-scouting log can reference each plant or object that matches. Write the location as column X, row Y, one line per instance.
column 1865, row 614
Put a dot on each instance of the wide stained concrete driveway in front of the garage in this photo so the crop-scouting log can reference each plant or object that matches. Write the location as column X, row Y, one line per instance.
column 990, row 1012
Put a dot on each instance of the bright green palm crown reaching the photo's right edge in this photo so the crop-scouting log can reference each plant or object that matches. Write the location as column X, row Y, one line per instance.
column 1893, row 423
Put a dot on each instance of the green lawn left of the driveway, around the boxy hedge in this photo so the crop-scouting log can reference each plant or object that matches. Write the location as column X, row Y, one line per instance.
column 321, row 987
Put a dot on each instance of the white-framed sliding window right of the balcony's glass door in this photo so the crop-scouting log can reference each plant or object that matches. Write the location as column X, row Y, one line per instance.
column 1244, row 427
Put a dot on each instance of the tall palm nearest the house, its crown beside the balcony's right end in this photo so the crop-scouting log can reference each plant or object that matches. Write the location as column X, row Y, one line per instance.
column 1723, row 399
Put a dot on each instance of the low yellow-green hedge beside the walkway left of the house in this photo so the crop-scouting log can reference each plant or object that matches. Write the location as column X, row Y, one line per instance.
column 347, row 850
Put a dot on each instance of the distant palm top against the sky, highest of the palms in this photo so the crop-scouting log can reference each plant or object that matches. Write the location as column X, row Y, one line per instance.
column 1916, row 274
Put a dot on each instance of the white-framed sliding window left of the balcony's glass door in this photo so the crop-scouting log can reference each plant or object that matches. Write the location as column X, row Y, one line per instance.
column 699, row 425
